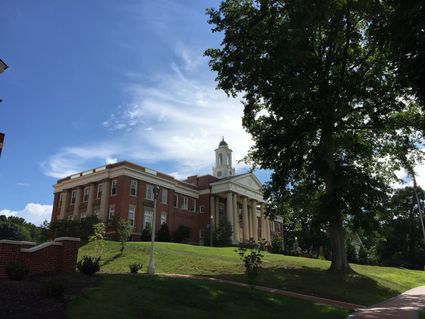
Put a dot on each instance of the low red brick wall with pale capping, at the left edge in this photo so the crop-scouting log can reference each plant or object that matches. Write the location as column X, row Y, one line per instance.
column 57, row 256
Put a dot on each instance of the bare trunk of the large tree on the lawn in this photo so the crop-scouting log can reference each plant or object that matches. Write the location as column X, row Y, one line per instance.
column 339, row 253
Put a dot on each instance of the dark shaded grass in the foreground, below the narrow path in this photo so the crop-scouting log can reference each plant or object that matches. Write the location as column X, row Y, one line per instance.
column 143, row 296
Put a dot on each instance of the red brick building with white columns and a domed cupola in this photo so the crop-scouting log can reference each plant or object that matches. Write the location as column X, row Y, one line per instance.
column 127, row 190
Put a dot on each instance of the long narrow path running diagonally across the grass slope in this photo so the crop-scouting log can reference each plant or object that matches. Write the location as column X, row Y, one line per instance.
column 335, row 303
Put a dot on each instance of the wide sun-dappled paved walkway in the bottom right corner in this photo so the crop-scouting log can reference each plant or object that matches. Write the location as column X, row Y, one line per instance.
column 404, row 306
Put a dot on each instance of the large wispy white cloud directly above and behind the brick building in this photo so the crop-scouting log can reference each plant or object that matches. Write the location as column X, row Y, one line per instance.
column 178, row 119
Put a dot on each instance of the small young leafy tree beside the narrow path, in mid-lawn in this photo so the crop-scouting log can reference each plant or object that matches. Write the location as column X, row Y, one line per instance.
column 252, row 256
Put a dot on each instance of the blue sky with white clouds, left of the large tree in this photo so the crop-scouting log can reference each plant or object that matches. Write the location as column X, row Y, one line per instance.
column 94, row 82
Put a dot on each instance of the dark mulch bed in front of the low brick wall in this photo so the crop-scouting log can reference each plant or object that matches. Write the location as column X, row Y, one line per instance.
column 27, row 298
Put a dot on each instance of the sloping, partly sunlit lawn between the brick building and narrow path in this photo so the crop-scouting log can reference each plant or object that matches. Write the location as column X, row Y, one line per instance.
column 367, row 285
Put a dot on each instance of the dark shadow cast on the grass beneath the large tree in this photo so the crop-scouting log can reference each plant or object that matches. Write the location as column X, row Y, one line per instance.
column 351, row 287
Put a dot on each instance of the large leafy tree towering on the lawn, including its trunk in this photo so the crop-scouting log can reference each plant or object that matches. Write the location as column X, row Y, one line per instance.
column 326, row 113
